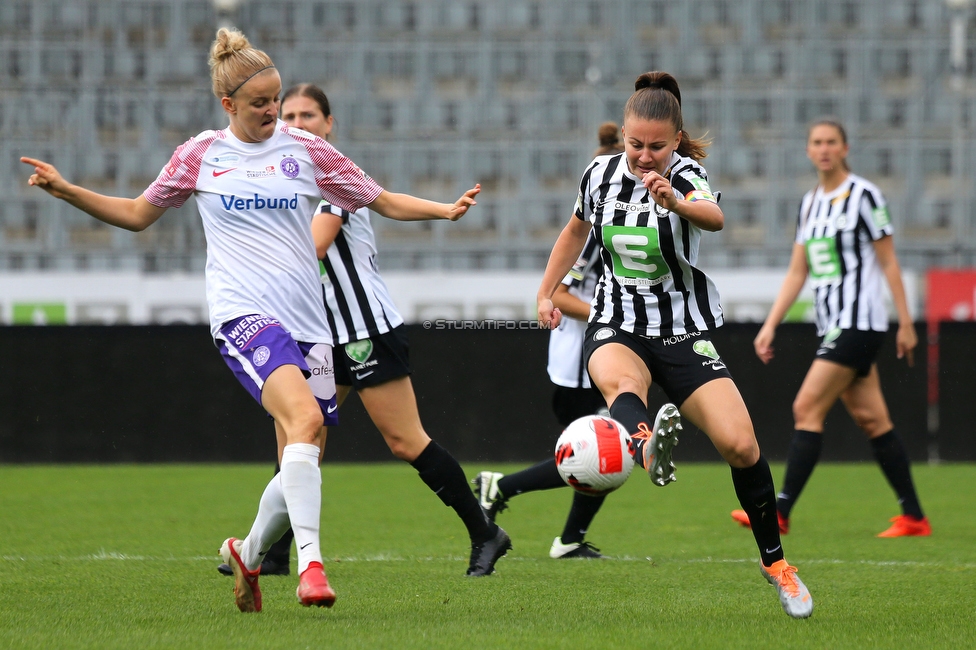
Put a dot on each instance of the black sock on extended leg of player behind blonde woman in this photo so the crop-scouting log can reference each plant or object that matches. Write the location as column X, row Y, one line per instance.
column 443, row 475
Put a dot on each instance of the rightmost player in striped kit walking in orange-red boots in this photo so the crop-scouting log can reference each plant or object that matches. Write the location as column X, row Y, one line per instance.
column 844, row 244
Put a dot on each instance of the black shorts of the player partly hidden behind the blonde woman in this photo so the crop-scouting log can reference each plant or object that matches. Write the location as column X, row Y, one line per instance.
column 373, row 361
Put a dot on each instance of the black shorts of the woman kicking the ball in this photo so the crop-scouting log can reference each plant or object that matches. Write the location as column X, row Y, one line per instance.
column 680, row 365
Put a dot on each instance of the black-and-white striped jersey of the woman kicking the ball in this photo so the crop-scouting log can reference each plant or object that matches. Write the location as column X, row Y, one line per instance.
column 650, row 284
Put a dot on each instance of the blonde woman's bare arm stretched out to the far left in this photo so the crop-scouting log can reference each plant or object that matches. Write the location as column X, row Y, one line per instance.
column 130, row 214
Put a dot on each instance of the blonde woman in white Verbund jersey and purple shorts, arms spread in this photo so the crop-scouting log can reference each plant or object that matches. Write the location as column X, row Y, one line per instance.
column 256, row 183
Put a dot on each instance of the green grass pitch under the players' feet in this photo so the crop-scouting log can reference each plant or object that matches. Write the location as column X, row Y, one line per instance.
column 125, row 557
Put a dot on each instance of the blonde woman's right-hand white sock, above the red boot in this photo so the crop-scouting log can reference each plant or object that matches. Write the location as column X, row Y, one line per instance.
column 301, row 483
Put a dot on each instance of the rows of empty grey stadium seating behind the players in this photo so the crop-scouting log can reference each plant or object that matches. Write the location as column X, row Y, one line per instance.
column 431, row 96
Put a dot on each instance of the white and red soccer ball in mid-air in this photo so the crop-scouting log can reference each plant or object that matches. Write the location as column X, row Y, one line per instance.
column 594, row 455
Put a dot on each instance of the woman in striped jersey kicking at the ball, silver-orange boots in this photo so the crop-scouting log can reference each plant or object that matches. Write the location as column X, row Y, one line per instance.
column 654, row 309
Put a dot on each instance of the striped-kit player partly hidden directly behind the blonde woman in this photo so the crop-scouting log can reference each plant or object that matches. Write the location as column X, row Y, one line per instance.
column 372, row 349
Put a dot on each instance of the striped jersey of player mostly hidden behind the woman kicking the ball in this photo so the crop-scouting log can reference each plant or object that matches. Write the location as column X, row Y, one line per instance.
column 566, row 341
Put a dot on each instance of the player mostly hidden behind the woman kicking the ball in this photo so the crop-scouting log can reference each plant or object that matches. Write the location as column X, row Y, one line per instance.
column 574, row 395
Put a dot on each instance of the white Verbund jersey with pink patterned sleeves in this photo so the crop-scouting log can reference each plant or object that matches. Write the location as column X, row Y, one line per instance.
column 257, row 201
